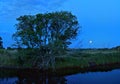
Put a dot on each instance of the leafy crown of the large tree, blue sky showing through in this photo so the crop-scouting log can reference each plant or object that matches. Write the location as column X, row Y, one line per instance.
column 54, row 29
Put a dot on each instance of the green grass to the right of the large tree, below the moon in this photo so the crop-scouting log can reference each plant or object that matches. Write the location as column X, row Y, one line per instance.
column 88, row 58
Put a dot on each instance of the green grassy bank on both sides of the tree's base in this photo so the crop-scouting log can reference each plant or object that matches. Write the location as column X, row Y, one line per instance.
column 72, row 58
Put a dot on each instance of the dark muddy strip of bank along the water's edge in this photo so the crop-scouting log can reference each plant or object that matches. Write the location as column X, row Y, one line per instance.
column 12, row 71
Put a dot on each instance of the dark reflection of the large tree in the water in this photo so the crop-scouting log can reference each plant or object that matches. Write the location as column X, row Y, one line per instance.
column 39, row 80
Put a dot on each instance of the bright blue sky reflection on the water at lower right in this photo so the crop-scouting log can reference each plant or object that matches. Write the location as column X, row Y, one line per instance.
column 111, row 77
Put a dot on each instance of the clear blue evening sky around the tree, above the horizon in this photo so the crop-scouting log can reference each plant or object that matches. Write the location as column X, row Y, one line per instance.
column 99, row 19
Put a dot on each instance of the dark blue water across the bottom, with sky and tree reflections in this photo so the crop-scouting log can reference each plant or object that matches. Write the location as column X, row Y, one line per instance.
column 110, row 77
